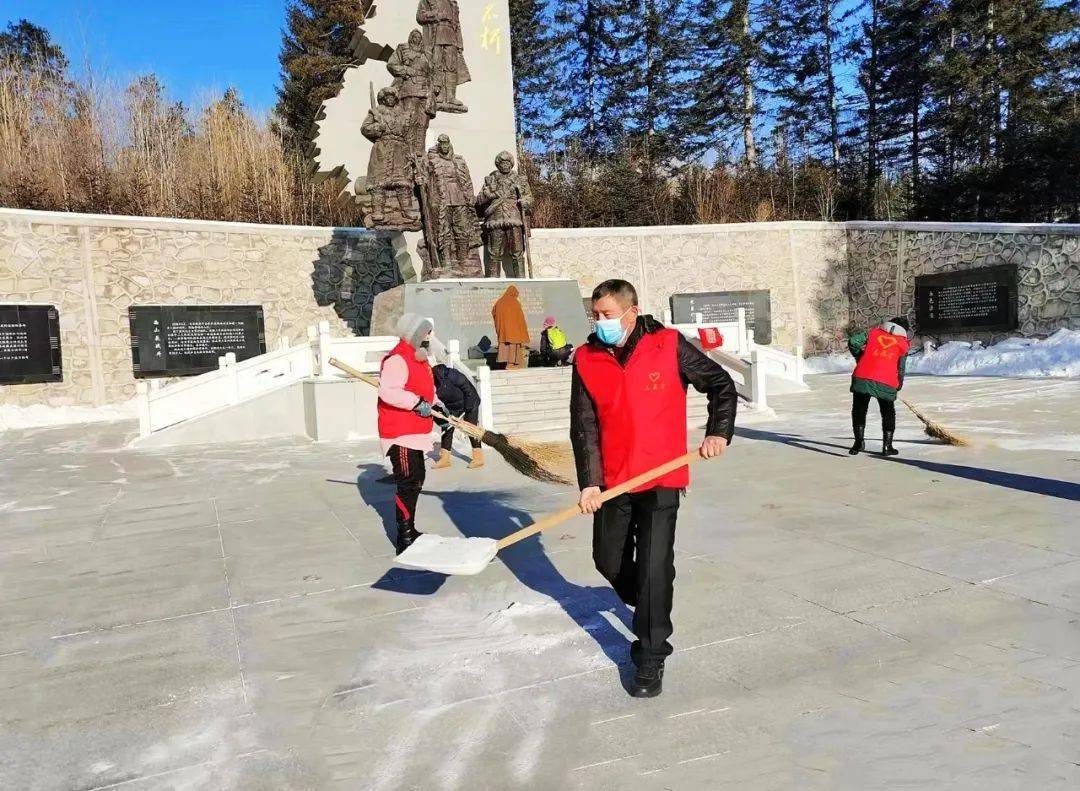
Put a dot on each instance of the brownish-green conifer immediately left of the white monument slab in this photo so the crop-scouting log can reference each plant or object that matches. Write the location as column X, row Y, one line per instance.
column 315, row 55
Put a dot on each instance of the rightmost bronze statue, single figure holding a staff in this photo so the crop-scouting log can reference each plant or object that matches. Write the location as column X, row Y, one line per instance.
column 506, row 203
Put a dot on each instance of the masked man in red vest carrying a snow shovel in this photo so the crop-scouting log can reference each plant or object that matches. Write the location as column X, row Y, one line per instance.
column 628, row 415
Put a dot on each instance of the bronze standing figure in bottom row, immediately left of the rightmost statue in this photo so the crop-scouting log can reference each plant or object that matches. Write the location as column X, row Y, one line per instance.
column 455, row 214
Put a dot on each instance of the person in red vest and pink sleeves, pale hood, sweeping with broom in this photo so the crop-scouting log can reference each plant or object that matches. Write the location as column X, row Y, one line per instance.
column 407, row 396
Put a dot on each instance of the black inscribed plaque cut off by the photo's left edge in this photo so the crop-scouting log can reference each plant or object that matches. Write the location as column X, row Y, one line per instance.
column 30, row 345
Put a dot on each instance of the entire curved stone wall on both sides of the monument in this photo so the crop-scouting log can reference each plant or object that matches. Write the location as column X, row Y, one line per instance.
column 822, row 276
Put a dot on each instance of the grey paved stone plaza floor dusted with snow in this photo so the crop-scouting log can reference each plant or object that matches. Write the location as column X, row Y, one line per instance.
column 224, row 619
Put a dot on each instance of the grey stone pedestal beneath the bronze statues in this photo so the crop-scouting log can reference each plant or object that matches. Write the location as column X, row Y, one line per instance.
column 462, row 310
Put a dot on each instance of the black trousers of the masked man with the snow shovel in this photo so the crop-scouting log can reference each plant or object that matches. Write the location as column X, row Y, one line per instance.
column 634, row 549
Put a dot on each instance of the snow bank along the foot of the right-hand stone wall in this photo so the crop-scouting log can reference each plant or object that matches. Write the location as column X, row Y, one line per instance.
column 1057, row 356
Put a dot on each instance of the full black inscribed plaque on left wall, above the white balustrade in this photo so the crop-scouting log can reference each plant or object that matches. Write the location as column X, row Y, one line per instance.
column 187, row 341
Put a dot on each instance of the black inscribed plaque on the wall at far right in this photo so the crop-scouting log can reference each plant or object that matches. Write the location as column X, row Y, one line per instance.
column 983, row 299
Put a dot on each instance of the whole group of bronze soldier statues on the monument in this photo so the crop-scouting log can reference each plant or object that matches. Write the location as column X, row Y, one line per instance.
column 412, row 190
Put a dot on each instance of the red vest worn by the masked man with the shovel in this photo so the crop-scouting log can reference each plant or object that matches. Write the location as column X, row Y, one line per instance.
column 641, row 409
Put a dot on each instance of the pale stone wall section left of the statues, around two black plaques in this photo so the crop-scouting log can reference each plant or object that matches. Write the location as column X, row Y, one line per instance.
column 93, row 269
